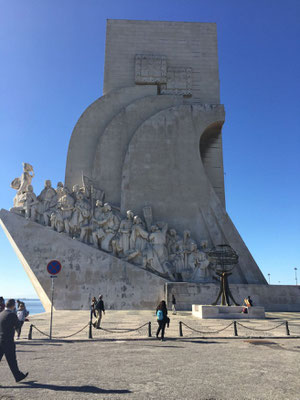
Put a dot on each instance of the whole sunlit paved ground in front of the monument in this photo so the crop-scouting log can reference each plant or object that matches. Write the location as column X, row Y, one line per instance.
column 133, row 366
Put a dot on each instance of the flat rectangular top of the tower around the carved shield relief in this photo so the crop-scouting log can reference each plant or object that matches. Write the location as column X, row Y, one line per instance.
column 186, row 44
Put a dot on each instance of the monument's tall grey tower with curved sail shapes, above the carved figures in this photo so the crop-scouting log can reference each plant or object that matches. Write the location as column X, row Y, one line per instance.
column 155, row 138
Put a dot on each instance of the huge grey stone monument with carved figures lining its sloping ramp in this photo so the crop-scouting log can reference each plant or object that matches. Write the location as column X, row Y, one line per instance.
column 143, row 195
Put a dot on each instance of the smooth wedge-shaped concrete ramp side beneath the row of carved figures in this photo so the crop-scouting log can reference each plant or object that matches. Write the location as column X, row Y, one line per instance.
column 86, row 272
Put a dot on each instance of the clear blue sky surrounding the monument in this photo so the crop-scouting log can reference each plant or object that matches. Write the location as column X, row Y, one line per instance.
column 51, row 69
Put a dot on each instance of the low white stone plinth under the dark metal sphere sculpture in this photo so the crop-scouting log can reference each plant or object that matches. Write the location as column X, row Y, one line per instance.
column 227, row 312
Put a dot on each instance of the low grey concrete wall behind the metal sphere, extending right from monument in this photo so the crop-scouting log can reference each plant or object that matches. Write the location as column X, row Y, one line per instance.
column 272, row 297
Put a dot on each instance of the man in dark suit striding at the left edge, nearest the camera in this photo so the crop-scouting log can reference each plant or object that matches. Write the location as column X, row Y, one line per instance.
column 8, row 324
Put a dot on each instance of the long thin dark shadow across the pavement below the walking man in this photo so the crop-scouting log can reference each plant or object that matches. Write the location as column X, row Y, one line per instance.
column 62, row 388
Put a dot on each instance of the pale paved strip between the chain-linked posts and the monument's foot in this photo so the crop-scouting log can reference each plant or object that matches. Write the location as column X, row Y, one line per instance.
column 124, row 324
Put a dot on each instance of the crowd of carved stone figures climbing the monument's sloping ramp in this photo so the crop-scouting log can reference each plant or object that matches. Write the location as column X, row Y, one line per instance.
column 82, row 214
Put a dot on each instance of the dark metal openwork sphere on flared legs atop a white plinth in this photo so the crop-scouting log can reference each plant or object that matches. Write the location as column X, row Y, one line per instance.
column 224, row 259
